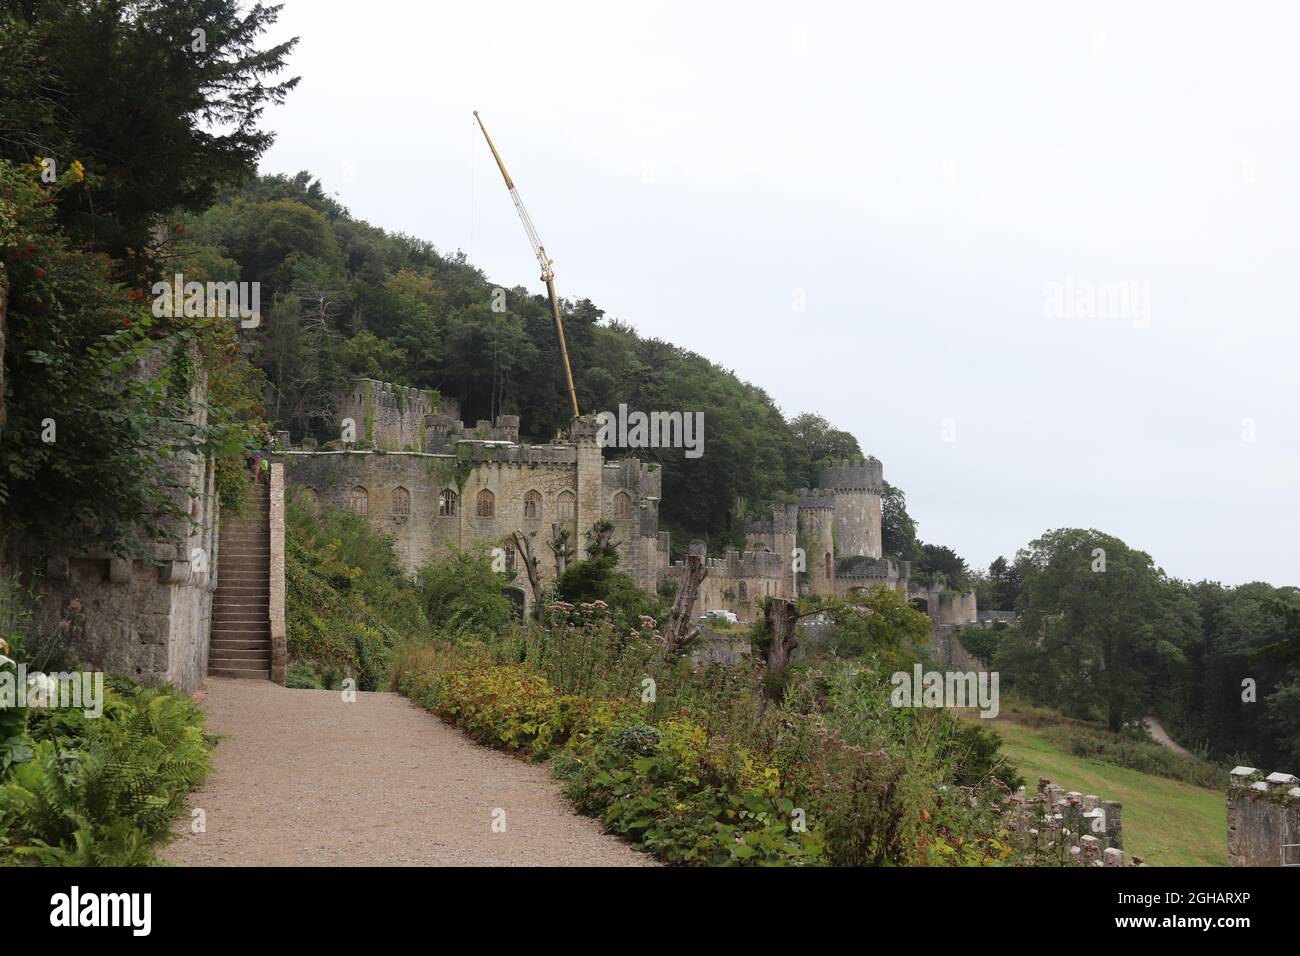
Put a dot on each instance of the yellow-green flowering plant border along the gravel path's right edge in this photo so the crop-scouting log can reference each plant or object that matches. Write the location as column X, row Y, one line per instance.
column 700, row 771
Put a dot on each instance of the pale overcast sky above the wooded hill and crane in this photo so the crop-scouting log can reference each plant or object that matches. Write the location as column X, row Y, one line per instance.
column 942, row 187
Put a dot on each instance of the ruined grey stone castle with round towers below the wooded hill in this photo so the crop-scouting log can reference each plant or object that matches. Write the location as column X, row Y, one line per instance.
column 422, row 477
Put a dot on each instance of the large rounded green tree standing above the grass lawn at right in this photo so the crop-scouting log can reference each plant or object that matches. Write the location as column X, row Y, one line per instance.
column 1106, row 624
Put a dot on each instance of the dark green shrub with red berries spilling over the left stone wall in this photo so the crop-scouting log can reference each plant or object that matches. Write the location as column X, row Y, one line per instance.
column 90, row 369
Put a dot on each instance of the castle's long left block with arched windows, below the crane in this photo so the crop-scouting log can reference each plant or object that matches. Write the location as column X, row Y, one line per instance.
column 461, row 488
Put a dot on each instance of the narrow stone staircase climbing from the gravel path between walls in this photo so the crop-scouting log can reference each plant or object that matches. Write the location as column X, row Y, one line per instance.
column 241, row 608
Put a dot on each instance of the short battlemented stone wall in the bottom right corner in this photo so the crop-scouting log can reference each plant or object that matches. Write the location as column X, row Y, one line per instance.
column 1263, row 819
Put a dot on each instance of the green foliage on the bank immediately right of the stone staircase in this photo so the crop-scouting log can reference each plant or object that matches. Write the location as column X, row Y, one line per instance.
column 348, row 599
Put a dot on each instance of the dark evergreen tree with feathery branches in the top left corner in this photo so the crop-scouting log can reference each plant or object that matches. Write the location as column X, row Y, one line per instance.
column 159, row 114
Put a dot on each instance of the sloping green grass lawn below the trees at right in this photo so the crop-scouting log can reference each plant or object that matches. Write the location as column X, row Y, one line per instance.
column 1167, row 823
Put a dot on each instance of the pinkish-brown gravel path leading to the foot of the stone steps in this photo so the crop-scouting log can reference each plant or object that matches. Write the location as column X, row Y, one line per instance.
column 302, row 778
